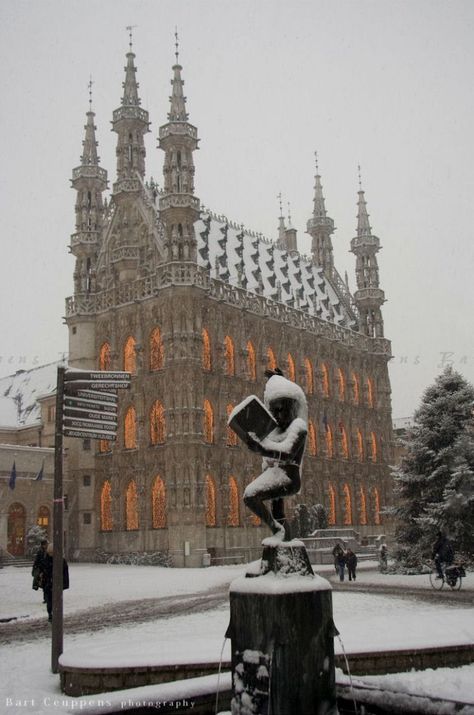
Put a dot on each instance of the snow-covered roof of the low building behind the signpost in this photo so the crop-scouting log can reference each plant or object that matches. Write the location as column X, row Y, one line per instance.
column 19, row 394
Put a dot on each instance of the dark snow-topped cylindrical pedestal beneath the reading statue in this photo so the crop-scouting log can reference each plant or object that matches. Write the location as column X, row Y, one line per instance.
column 282, row 633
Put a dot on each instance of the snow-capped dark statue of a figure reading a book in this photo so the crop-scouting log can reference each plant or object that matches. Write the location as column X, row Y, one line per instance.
column 277, row 430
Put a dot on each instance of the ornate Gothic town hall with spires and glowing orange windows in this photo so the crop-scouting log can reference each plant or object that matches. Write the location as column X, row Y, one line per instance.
column 196, row 308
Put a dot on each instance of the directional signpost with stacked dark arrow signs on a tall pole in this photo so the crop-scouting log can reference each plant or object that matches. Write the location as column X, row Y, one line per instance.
column 86, row 408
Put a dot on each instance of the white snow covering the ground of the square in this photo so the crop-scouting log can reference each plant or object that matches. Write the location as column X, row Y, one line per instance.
column 366, row 622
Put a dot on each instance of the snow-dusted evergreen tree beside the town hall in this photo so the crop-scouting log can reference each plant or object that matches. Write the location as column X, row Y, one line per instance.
column 430, row 473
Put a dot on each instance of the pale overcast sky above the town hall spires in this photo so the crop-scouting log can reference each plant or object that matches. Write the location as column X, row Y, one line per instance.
column 381, row 83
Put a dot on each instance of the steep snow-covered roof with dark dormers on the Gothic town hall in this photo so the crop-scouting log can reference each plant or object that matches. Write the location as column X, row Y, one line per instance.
column 250, row 261
